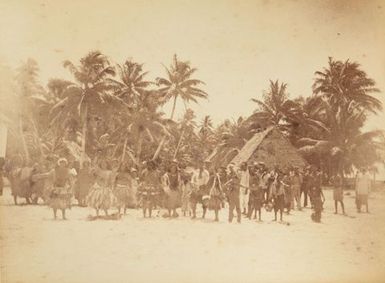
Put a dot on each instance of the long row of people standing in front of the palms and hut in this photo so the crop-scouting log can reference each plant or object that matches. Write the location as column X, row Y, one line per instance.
column 168, row 186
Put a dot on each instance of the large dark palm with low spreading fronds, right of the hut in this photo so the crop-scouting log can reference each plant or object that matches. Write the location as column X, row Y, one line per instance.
column 341, row 102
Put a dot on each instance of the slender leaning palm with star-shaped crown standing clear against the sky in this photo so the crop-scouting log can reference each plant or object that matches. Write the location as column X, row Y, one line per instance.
column 179, row 84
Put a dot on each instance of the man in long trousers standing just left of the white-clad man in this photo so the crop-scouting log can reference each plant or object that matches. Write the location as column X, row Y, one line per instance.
column 234, row 193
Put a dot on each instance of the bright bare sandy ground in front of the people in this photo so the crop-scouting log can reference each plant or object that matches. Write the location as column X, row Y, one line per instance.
column 35, row 248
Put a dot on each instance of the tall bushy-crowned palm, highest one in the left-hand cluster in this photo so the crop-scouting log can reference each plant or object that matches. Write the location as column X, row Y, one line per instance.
column 89, row 94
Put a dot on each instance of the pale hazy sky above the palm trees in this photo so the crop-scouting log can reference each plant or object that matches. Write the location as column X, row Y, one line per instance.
column 237, row 46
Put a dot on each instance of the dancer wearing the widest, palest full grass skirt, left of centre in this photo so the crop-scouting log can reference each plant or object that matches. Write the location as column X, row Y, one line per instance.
column 101, row 195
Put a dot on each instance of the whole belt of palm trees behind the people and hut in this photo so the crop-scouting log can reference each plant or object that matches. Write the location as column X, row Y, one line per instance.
column 115, row 112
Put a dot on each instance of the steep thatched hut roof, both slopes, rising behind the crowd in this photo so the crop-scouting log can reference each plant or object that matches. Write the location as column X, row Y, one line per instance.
column 271, row 148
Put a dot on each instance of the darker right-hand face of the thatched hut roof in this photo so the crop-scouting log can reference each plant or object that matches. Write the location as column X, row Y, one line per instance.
column 277, row 150
